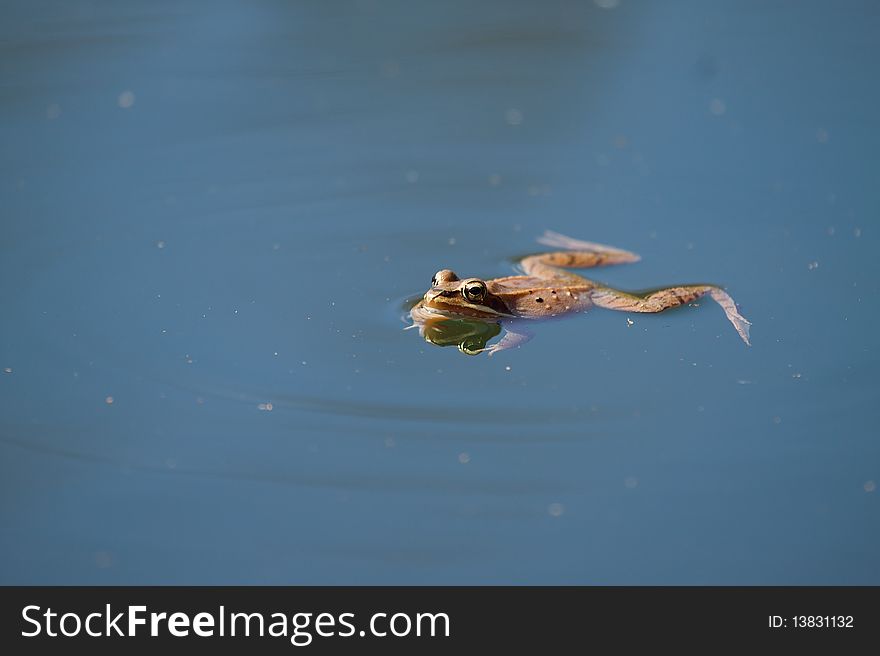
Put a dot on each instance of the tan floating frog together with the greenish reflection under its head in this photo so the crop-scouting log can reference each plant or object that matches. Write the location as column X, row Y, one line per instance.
column 469, row 312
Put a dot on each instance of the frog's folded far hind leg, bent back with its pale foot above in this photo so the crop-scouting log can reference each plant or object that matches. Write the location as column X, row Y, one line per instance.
column 577, row 254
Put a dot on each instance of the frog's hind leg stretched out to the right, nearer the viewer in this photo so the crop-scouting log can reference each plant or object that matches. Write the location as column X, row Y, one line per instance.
column 670, row 297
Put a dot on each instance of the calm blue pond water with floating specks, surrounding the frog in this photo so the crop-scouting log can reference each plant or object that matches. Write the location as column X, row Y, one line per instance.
column 213, row 219
